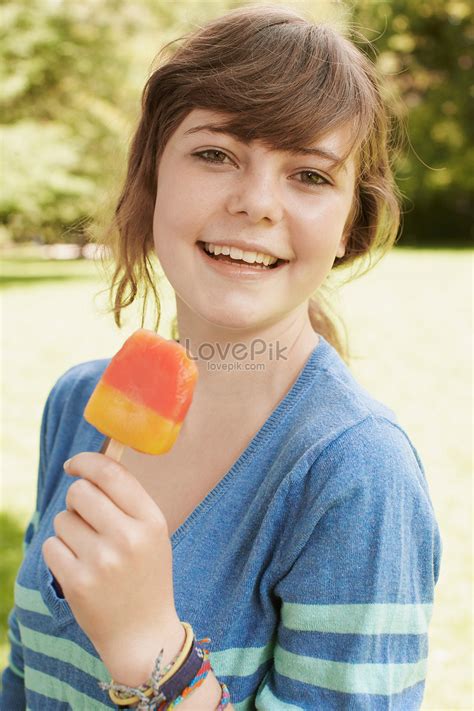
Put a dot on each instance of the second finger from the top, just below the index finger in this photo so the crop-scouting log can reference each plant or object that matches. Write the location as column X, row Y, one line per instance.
column 94, row 507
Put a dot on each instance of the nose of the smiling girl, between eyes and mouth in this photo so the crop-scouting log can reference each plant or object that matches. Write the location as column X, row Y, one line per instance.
column 255, row 194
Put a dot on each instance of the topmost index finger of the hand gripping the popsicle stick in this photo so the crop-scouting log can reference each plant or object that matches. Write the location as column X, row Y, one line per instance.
column 115, row 481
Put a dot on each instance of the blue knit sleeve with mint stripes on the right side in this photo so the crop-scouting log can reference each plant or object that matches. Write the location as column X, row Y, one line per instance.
column 357, row 597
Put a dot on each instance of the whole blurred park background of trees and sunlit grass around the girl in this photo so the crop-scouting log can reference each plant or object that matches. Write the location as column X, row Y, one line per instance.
column 73, row 75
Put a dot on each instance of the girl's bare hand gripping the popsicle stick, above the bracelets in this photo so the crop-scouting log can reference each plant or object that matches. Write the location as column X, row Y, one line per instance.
column 112, row 557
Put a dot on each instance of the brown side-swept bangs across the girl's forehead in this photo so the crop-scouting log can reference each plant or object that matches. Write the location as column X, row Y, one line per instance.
column 288, row 85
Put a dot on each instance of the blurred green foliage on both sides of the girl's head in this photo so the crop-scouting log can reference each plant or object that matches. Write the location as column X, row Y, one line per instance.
column 74, row 72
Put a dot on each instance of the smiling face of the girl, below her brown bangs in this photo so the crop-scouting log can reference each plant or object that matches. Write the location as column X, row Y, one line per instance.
column 212, row 188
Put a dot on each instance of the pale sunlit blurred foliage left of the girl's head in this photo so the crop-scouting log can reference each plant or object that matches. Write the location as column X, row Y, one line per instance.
column 62, row 126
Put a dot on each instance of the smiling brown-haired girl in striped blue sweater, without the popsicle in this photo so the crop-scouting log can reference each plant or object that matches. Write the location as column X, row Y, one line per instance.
column 289, row 533
